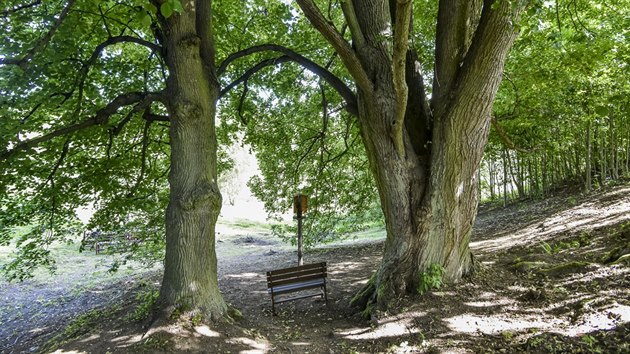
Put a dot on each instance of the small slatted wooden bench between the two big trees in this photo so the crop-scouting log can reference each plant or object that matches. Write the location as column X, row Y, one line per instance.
column 294, row 279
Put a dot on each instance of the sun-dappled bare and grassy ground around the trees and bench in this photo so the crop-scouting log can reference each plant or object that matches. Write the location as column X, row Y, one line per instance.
column 554, row 277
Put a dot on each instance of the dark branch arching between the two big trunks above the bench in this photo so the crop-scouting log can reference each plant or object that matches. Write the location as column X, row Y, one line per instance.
column 344, row 91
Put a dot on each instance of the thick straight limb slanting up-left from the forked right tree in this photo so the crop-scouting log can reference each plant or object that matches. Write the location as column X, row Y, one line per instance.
column 345, row 51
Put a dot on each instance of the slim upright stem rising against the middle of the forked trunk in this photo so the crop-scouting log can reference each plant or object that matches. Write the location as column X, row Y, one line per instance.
column 401, row 44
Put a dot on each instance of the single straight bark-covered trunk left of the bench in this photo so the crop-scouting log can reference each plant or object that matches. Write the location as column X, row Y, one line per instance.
column 190, row 268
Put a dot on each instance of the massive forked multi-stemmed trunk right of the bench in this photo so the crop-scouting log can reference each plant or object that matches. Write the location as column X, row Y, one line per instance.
column 424, row 152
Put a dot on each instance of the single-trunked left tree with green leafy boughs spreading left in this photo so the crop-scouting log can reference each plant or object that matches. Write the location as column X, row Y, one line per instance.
column 99, row 102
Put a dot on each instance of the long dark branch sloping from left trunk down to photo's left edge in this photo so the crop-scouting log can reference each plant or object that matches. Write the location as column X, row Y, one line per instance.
column 102, row 116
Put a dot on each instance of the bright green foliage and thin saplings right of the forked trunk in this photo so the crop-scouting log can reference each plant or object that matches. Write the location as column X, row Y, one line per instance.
column 562, row 111
